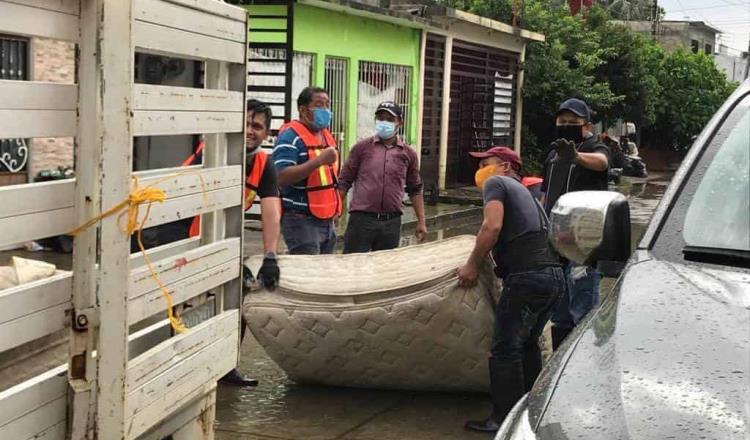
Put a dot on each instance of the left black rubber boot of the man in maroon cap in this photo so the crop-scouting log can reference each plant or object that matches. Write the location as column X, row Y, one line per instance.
column 506, row 388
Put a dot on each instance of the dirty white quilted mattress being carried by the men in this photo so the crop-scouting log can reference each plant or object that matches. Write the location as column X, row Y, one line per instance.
column 393, row 319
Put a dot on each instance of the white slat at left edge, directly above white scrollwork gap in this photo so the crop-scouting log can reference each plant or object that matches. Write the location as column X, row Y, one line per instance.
column 37, row 123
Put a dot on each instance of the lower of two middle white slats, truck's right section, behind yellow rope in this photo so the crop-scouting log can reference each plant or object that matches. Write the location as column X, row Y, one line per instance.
column 189, row 206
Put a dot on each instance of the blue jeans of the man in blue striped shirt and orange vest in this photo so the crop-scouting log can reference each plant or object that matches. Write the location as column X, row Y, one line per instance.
column 307, row 235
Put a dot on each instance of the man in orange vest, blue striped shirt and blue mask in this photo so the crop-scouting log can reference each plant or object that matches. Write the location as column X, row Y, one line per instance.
column 306, row 157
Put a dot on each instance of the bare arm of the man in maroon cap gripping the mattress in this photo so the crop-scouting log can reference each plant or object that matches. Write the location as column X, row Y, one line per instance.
column 492, row 224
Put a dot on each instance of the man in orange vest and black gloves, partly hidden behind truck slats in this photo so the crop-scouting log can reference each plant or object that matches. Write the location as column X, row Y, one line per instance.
column 260, row 181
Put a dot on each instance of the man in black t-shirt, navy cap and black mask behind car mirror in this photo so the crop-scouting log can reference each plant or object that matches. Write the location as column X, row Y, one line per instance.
column 578, row 162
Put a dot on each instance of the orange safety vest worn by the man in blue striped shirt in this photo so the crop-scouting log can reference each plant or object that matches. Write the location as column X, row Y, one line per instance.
column 323, row 198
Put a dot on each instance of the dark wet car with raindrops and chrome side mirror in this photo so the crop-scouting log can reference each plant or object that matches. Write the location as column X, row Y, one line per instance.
column 667, row 354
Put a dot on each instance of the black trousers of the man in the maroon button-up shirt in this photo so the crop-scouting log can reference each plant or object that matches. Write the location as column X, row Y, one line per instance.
column 365, row 233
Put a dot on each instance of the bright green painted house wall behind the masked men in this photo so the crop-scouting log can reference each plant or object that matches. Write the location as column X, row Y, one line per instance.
column 335, row 34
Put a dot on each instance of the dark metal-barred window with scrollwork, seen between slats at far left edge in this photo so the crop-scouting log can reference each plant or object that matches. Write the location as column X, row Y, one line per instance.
column 14, row 65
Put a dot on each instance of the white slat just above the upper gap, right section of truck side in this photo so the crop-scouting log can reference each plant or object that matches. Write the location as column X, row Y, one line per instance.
column 162, row 40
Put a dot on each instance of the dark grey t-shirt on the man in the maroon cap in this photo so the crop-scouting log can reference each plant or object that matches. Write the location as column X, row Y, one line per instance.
column 521, row 212
